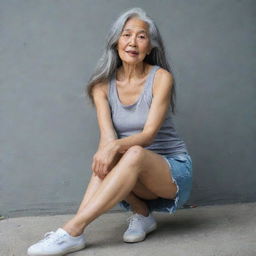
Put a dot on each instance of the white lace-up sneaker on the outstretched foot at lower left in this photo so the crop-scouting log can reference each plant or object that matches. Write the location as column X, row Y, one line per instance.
column 57, row 243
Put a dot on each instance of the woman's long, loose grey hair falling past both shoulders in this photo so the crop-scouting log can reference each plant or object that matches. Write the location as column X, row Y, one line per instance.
column 110, row 60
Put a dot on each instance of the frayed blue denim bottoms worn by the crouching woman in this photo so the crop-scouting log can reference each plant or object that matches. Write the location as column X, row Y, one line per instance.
column 181, row 169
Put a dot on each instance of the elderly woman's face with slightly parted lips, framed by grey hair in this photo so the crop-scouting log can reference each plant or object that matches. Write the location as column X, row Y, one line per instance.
column 134, row 43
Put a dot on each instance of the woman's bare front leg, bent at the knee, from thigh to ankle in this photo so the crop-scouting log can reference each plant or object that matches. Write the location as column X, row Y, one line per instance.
column 137, row 162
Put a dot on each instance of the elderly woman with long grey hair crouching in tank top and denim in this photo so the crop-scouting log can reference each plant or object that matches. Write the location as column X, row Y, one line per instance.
column 141, row 162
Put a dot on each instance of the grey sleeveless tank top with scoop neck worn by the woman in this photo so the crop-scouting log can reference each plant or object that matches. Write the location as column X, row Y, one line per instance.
column 130, row 119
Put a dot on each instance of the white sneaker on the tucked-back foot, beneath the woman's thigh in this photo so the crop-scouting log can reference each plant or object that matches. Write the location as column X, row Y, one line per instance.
column 139, row 227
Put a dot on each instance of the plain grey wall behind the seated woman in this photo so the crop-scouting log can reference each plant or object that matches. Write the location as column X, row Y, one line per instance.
column 49, row 132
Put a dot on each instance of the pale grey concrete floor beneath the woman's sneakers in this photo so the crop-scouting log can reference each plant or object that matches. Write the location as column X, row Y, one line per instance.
column 222, row 230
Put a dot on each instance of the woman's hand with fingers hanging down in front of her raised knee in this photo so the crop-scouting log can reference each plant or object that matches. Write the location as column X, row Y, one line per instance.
column 103, row 159
